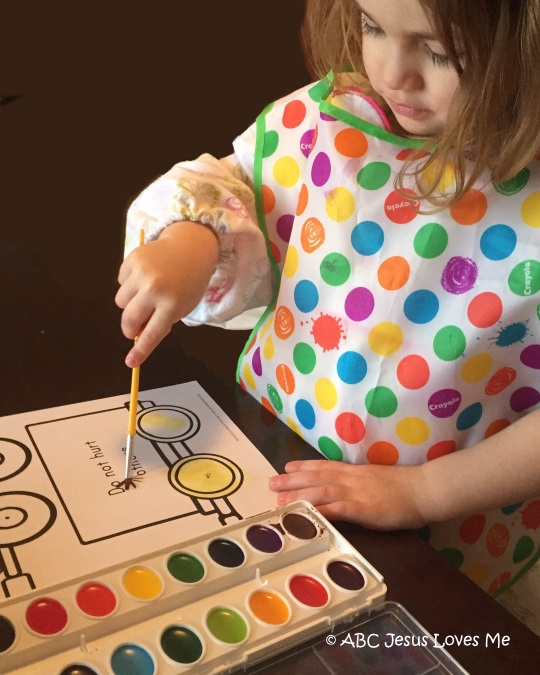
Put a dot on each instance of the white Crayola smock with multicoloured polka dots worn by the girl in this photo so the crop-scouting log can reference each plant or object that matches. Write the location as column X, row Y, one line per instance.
column 396, row 337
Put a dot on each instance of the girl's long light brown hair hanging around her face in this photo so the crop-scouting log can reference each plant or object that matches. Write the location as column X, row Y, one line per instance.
column 494, row 118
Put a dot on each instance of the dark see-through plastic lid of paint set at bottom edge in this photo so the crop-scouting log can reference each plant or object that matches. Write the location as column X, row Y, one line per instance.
column 388, row 642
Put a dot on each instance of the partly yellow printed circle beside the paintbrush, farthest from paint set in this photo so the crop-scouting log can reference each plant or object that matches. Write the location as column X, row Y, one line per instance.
column 167, row 423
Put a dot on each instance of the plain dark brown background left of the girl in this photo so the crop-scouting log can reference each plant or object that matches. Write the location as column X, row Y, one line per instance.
column 113, row 95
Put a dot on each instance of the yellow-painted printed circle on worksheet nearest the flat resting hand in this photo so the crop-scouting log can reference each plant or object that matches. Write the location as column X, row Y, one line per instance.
column 206, row 476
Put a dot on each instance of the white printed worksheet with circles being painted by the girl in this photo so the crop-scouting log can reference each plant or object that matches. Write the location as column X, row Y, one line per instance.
column 66, row 509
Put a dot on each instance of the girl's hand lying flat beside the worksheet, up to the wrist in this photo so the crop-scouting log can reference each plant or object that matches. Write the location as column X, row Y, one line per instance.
column 375, row 496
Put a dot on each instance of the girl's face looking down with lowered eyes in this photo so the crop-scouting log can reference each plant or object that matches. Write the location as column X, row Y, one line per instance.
column 406, row 64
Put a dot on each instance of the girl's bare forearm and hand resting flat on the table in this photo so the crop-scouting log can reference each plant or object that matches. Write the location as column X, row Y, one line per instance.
column 501, row 470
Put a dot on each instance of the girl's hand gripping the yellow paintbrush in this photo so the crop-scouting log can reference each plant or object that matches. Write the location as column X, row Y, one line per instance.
column 163, row 281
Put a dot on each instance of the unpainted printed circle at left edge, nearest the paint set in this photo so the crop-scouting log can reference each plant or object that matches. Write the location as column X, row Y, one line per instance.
column 24, row 516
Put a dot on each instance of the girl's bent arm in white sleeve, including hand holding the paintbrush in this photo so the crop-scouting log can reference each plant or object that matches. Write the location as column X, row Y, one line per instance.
column 205, row 260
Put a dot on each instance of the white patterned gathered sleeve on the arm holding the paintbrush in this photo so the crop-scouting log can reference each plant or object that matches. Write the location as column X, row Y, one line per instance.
column 218, row 193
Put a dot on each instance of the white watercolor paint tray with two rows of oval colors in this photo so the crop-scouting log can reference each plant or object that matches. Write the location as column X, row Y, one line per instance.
column 219, row 602
